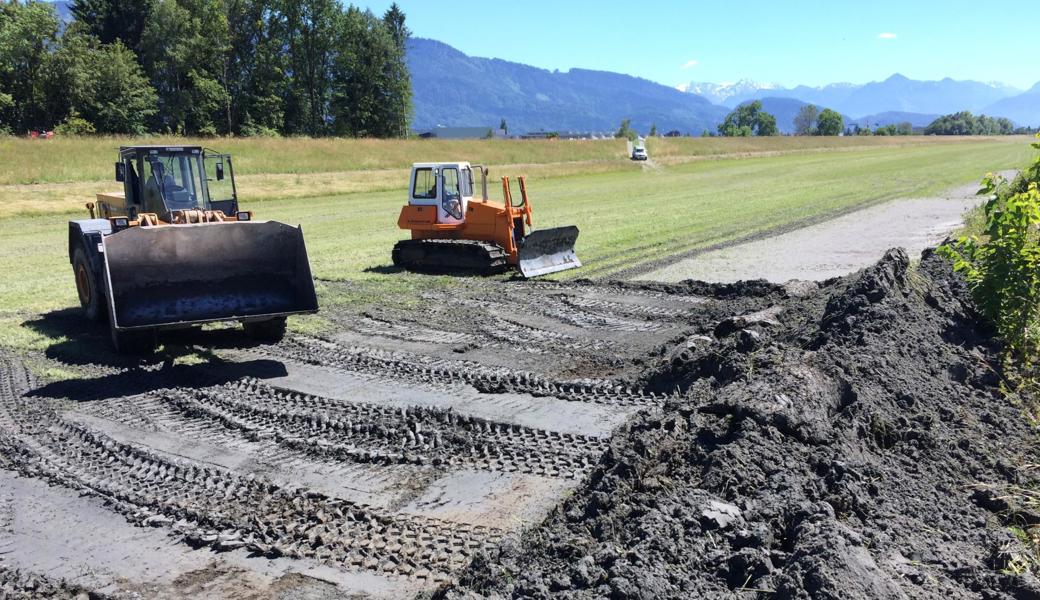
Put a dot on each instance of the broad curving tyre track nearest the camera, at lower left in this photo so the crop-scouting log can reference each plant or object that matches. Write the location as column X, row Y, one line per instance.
column 209, row 507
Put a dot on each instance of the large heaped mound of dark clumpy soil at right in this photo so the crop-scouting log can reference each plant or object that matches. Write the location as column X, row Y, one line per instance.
column 848, row 442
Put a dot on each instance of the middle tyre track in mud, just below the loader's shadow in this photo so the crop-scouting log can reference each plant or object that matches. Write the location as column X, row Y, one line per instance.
column 374, row 434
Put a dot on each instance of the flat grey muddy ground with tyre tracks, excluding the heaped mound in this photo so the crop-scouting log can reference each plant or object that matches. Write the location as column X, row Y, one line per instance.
column 376, row 460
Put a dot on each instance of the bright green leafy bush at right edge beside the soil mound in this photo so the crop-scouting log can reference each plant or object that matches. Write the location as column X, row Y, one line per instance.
column 1003, row 266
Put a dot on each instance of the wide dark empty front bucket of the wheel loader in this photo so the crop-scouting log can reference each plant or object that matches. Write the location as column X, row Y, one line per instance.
column 170, row 276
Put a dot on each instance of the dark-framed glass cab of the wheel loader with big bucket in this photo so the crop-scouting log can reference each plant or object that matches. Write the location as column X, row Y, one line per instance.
column 164, row 179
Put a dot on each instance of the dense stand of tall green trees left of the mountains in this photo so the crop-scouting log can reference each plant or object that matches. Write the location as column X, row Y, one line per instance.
column 205, row 68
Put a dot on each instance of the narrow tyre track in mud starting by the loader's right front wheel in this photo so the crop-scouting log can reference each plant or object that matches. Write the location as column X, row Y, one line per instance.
column 484, row 379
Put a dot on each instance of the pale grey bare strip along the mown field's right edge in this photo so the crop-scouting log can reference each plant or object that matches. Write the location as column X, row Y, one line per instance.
column 831, row 249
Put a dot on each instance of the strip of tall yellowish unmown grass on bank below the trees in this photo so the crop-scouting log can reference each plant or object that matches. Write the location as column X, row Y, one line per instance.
column 80, row 160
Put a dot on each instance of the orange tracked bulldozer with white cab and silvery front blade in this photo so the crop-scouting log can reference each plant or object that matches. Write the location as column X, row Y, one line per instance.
column 453, row 231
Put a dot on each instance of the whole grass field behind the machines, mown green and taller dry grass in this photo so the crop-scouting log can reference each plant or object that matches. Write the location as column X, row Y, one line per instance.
column 629, row 215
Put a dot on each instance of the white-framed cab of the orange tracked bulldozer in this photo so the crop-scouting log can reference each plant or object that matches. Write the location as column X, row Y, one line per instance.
column 446, row 186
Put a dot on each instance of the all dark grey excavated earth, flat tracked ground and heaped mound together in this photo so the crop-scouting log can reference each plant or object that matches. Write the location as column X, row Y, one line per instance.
column 531, row 439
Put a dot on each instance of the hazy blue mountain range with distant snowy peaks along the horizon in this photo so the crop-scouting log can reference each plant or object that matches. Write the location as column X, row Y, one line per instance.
column 454, row 90
